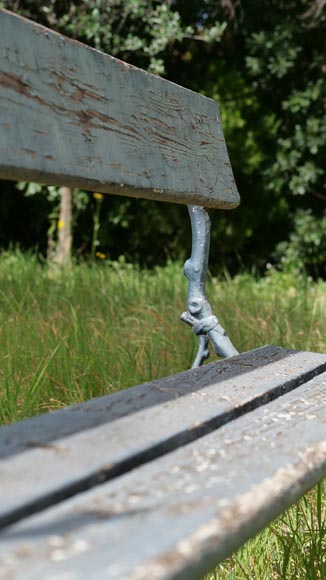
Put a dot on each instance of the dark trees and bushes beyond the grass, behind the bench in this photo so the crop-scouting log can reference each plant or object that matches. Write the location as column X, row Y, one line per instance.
column 263, row 61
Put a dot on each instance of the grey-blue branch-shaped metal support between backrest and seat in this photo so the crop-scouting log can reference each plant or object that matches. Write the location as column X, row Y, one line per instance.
column 199, row 315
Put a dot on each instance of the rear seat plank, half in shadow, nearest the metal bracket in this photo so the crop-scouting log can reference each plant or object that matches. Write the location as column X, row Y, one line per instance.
column 111, row 435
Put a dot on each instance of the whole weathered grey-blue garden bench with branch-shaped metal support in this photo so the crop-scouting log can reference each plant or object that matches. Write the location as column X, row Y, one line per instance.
column 165, row 479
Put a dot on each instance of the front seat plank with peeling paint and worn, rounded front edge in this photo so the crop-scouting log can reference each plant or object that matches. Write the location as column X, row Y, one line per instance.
column 179, row 515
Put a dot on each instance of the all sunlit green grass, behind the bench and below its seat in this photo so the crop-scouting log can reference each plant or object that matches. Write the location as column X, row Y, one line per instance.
column 91, row 330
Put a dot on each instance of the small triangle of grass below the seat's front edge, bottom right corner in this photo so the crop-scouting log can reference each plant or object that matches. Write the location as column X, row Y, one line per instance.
column 293, row 547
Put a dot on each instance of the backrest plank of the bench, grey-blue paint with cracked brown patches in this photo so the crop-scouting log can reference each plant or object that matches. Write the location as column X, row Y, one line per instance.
column 71, row 115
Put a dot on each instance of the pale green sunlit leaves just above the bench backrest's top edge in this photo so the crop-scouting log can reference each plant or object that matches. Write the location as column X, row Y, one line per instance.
column 126, row 27
